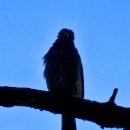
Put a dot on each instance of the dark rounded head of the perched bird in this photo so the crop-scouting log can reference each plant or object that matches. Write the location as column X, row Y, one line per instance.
column 66, row 34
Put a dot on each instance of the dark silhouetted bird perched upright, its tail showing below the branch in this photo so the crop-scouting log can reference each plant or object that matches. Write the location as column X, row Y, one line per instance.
column 64, row 71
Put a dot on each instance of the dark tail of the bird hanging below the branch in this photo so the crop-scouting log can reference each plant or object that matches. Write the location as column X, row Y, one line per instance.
column 68, row 122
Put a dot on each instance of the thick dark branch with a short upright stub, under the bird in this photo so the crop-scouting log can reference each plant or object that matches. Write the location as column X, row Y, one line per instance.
column 106, row 114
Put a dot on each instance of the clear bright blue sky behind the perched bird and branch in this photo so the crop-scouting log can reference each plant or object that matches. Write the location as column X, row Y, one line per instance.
column 102, row 36
